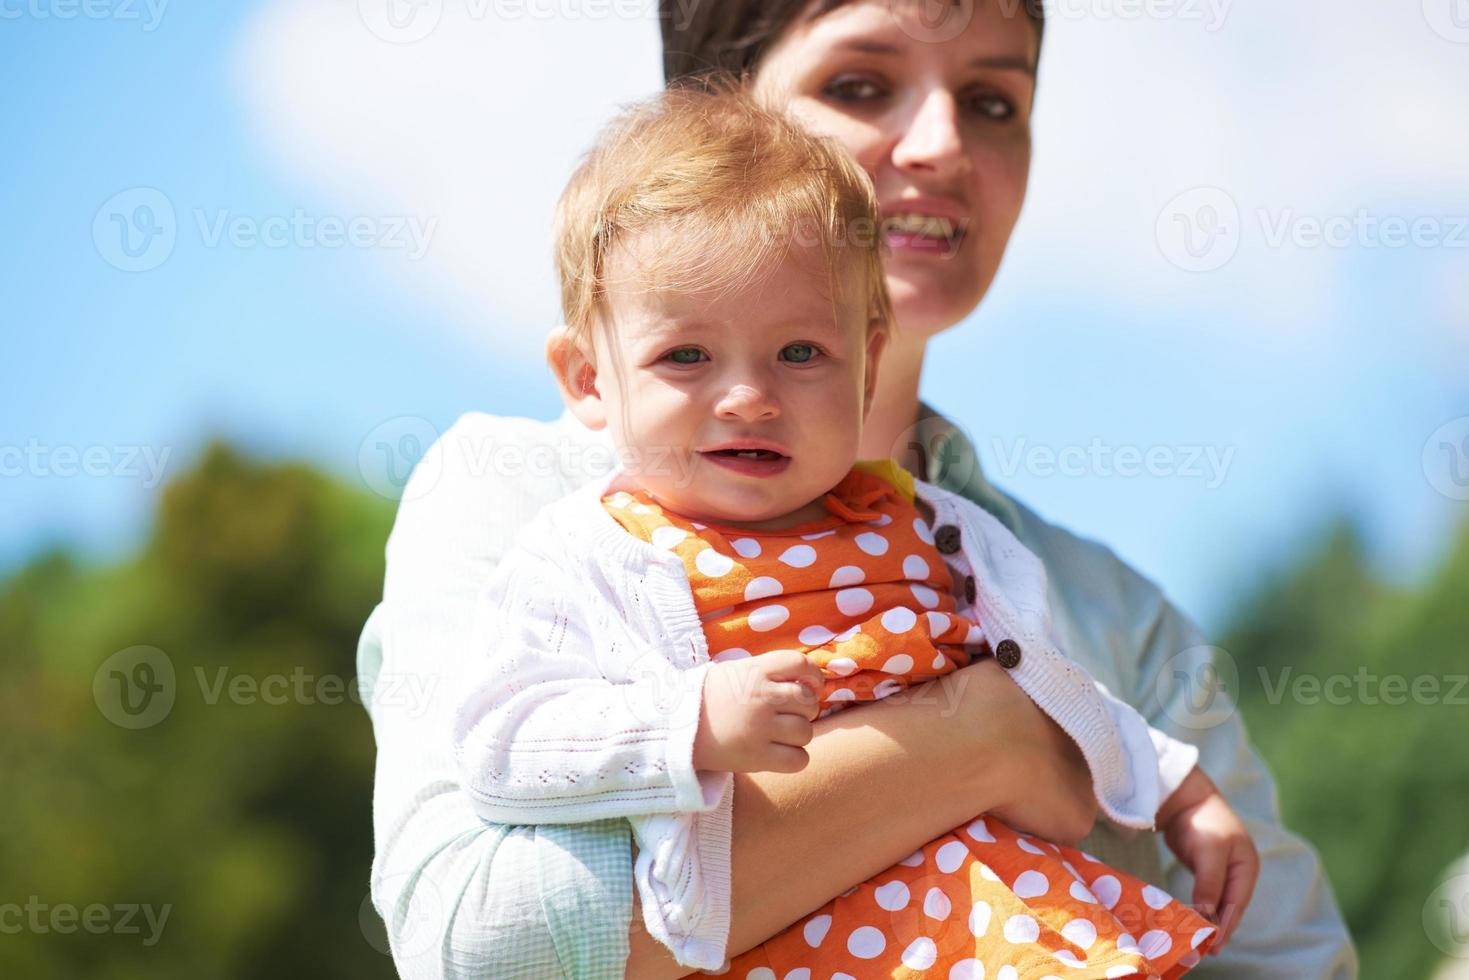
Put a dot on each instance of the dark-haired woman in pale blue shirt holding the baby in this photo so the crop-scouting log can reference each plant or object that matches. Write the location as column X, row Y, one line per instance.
column 938, row 111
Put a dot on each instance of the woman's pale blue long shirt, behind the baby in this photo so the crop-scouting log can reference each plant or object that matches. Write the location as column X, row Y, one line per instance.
column 465, row 898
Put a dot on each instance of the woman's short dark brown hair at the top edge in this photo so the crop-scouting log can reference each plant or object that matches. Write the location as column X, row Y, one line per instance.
column 729, row 37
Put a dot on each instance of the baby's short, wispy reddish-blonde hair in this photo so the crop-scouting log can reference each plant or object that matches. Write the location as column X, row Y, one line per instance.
column 737, row 183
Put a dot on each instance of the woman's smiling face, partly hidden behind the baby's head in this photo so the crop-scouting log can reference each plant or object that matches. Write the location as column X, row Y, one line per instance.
column 939, row 117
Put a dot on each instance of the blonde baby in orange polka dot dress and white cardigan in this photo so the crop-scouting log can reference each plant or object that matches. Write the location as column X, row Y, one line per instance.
column 741, row 574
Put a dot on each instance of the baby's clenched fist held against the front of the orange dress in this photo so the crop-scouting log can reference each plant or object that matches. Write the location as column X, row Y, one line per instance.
column 757, row 713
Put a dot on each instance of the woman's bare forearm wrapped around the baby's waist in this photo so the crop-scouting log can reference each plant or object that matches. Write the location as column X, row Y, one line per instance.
column 964, row 744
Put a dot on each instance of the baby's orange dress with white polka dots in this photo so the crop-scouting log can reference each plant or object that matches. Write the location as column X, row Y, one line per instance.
column 867, row 597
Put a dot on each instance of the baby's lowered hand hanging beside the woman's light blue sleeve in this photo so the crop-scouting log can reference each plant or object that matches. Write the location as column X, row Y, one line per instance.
column 1211, row 841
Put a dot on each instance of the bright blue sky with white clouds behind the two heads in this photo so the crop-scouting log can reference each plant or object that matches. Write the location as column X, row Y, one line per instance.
column 1315, row 374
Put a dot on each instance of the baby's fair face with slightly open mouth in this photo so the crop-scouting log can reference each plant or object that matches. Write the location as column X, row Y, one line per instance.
column 690, row 378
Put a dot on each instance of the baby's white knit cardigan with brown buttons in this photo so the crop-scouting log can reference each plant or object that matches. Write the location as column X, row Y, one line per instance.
column 585, row 691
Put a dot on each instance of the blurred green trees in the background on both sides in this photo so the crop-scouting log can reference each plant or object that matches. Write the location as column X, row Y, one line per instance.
column 248, row 815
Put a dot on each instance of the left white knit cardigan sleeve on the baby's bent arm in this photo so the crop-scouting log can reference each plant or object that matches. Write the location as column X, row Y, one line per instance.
column 543, row 737
